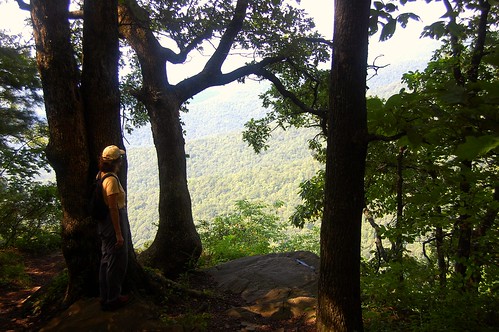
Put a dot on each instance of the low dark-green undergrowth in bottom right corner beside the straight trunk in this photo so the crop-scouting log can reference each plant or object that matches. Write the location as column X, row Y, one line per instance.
column 406, row 296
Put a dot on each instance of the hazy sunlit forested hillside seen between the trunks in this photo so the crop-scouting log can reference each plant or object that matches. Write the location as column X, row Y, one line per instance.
column 221, row 170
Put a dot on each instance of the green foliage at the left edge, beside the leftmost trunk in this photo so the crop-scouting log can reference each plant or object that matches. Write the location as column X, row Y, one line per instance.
column 29, row 210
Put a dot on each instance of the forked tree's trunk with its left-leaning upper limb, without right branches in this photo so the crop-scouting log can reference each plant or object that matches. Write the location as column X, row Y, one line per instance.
column 177, row 243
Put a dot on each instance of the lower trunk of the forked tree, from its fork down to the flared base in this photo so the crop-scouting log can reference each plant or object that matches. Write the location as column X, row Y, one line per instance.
column 177, row 243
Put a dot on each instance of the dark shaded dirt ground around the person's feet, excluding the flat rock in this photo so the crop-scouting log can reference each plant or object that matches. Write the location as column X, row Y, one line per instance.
column 206, row 313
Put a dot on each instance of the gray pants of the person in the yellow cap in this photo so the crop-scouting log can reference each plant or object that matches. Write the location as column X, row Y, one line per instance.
column 114, row 261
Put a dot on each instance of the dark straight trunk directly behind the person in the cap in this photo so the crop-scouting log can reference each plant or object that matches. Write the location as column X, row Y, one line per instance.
column 101, row 96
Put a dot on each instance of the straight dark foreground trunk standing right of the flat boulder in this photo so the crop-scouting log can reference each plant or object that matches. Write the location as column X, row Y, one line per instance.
column 339, row 305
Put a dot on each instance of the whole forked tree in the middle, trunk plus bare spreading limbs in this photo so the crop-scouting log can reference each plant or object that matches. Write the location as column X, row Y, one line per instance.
column 177, row 243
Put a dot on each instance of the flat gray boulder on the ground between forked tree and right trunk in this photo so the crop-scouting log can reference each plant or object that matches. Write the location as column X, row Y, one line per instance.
column 280, row 286
